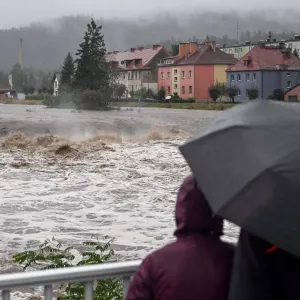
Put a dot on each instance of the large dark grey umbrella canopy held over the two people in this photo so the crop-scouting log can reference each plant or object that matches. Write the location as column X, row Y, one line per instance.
column 247, row 163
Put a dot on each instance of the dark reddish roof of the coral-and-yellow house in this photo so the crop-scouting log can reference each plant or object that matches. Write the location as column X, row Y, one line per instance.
column 205, row 55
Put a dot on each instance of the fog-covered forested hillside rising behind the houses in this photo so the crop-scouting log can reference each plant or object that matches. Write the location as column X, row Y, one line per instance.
column 45, row 44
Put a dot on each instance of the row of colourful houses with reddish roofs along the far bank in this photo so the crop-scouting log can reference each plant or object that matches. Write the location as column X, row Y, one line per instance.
column 197, row 66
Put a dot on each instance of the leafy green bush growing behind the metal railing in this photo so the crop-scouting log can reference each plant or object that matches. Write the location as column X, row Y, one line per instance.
column 54, row 255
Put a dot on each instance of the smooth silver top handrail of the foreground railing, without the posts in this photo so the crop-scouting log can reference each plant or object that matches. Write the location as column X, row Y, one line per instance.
column 69, row 274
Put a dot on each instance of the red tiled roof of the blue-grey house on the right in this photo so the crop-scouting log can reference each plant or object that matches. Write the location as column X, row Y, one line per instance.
column 267, row 58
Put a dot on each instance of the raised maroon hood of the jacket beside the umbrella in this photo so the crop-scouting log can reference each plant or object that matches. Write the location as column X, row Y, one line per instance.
column 193, row 214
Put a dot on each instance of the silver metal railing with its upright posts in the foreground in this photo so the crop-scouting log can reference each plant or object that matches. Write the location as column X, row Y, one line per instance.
column 85, row 274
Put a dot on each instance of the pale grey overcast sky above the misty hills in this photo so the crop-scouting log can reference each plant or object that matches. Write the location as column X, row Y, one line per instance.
column 22, row 12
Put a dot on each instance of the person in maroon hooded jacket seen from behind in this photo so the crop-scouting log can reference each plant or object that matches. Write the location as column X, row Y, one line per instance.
column 197, row 265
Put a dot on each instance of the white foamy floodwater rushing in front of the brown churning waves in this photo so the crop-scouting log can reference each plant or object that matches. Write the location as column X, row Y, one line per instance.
column 128, row 194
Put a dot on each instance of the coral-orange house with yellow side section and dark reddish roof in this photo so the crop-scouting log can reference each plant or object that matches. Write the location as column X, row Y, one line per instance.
column 194, row 70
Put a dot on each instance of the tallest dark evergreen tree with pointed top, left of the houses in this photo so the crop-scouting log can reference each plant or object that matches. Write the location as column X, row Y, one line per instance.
column 92, row 71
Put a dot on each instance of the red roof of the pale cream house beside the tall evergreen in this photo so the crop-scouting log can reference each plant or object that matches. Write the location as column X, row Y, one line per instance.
column 142, row 56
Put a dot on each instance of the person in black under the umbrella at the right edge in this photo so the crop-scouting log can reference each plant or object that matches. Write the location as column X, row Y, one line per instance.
column 262, row 271
